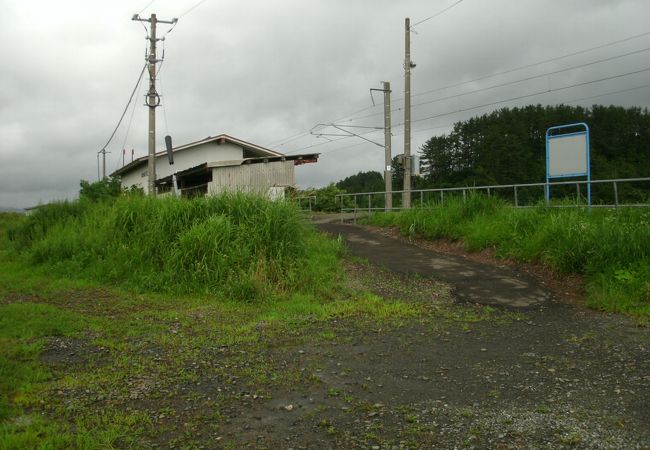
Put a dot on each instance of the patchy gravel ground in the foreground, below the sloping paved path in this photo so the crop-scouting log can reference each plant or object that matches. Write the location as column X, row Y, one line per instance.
column 460, row 375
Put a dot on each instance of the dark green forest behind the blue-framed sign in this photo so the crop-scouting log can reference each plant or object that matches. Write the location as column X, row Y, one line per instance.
column 508, row 146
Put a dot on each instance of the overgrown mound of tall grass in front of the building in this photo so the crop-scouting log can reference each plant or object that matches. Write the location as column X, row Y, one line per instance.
column 240, row 246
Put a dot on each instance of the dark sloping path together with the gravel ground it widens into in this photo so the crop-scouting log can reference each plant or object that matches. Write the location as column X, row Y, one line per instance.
column 547, row 376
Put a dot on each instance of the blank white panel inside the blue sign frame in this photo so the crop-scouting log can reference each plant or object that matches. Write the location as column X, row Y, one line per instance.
column 567, row 155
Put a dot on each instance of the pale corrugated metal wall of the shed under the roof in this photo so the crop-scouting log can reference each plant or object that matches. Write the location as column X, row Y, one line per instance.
column 252, row 177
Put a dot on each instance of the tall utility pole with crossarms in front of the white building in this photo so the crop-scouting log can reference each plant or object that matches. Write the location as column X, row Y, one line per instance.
column 153, row 99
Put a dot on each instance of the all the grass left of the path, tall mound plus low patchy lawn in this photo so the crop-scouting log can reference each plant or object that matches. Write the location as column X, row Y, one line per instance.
column 127, row 299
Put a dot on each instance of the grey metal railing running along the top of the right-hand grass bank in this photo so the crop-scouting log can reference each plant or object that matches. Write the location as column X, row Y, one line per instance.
column 506, row 191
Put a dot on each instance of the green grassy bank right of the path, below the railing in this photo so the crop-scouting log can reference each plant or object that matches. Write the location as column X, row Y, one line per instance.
column 611, row 248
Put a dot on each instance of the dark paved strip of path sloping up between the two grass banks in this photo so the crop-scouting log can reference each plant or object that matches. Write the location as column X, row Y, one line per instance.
column 472, row 281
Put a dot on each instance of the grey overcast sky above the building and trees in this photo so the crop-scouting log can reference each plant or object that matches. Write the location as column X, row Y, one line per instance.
column 266, row 71
